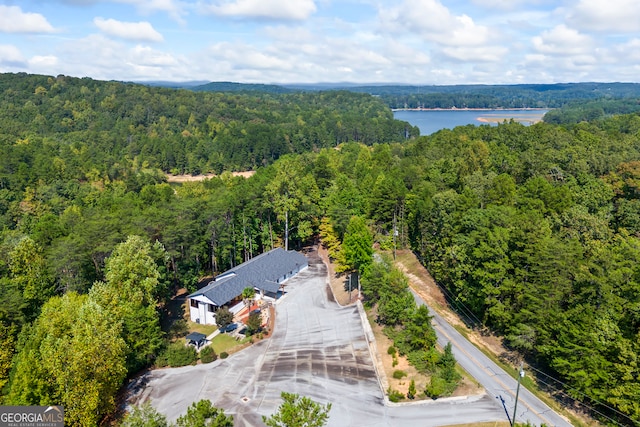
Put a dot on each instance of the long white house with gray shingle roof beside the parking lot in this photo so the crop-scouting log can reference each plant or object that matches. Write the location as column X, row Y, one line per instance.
column 265, row 273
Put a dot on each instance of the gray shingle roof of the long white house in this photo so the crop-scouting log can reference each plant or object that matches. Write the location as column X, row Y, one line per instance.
column 260, row 272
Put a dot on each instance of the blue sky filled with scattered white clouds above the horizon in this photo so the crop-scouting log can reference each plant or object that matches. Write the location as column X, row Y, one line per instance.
column 307, row 41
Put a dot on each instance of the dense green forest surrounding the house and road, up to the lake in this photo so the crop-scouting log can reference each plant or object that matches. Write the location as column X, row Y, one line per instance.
column 535, row 231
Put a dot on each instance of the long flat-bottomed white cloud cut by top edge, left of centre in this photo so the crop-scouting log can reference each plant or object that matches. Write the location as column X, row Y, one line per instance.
column 296, row 10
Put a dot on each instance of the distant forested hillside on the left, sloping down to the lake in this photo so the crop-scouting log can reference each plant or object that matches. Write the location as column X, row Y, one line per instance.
column 181, row 131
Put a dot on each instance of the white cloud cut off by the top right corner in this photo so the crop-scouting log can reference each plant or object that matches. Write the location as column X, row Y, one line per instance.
column 617, row 16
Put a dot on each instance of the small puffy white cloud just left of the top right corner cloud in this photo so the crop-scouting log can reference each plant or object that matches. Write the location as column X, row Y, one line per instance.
column 562, row 41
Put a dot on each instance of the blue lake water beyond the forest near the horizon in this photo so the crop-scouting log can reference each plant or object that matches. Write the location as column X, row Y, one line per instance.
column 430, row 121
